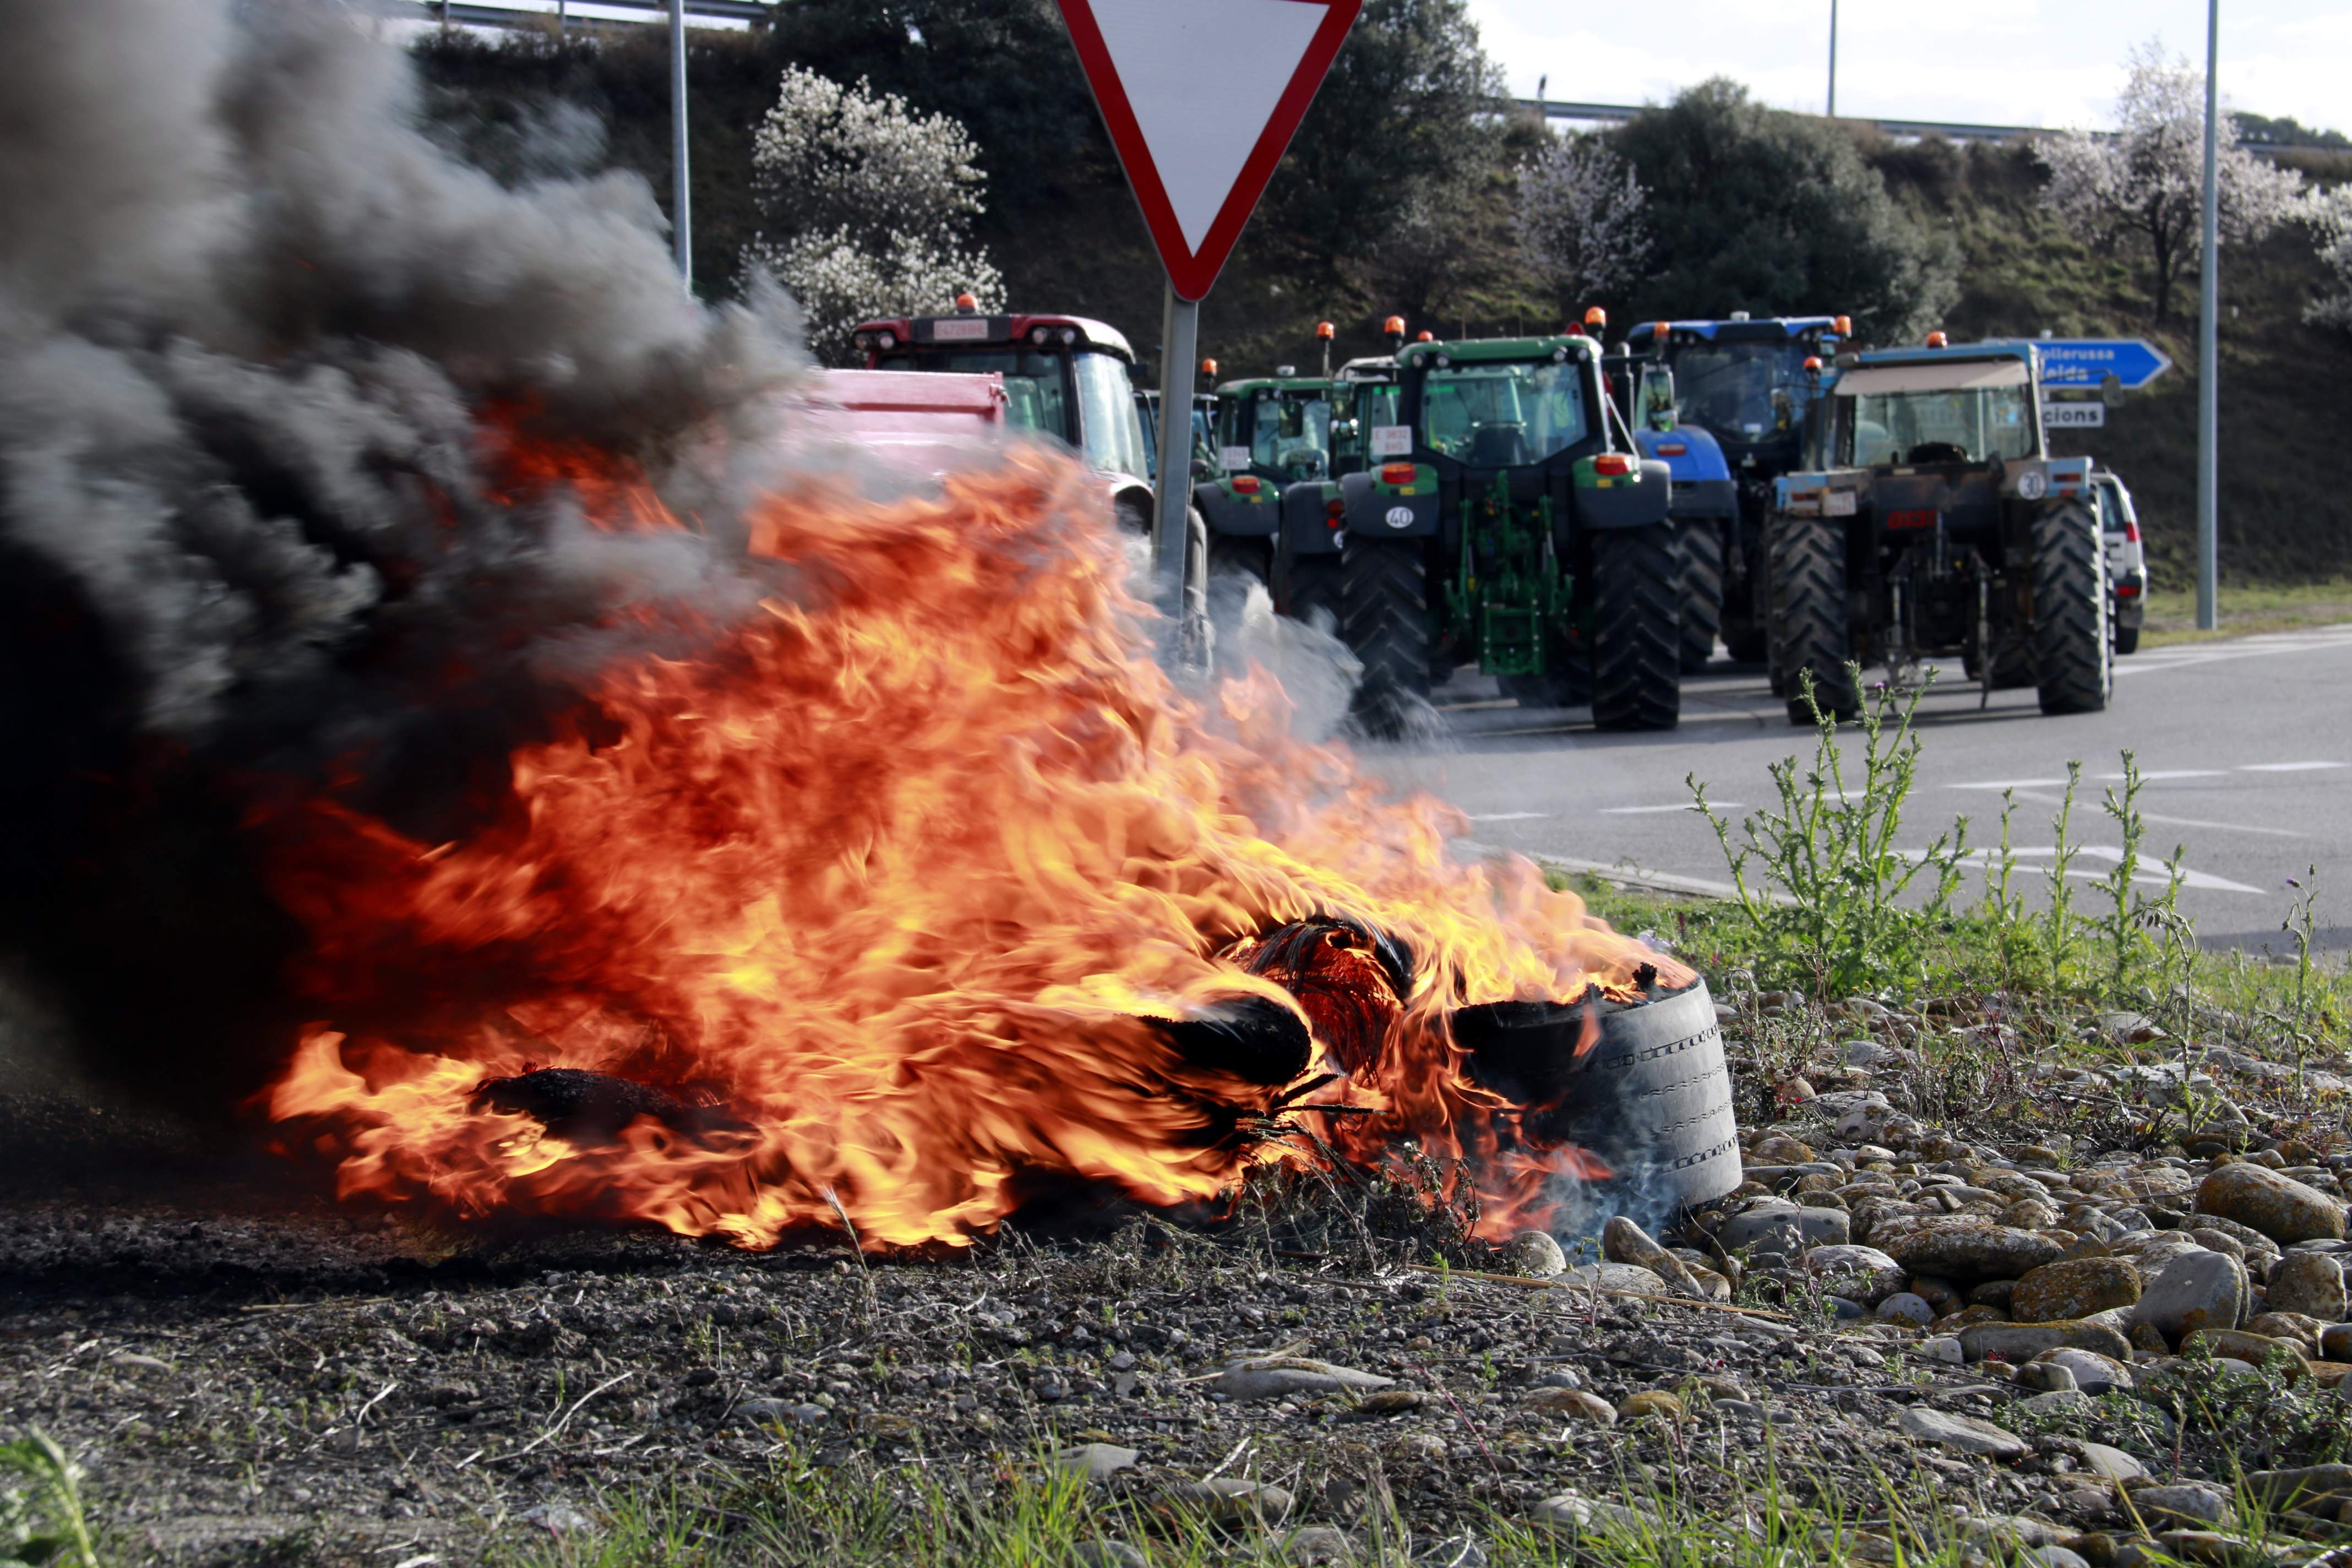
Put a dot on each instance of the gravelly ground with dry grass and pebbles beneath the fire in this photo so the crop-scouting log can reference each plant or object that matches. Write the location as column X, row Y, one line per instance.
column 253, row 1374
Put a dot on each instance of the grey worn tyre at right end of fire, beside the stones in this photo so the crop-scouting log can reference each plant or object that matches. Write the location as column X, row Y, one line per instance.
column 1652, row 1099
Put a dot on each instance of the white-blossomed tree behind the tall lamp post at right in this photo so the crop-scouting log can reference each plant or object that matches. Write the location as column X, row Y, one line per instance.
column 2144, row 182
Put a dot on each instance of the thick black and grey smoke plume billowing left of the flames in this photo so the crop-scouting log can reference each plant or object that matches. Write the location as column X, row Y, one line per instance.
column 258, row 335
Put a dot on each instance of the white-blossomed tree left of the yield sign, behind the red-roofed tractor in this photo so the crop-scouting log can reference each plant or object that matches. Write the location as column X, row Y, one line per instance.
column 867, row 208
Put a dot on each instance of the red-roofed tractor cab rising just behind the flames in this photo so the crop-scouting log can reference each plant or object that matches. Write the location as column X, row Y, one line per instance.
column 1067, row 380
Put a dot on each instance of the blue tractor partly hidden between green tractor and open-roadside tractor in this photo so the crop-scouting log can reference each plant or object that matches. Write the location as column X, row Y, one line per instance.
column 1749, row 387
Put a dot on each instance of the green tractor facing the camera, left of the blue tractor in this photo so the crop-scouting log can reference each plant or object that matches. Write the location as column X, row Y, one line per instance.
column 1506, row 521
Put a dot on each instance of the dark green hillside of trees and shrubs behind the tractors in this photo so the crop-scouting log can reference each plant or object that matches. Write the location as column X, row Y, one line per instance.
column 1410, row 210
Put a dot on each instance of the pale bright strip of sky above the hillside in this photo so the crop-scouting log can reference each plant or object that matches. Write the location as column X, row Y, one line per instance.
column 1984, row 62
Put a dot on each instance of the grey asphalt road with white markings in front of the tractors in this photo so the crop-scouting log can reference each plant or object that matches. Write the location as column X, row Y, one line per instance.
column 2247, row 751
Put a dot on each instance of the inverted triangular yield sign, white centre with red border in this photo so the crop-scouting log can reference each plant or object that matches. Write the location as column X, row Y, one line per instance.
column 1201, row 100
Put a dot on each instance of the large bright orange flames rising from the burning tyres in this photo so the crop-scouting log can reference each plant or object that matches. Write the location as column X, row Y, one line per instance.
column 888, row 890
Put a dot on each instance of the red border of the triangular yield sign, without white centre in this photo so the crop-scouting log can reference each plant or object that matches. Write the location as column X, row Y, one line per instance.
column 1194, row 272
